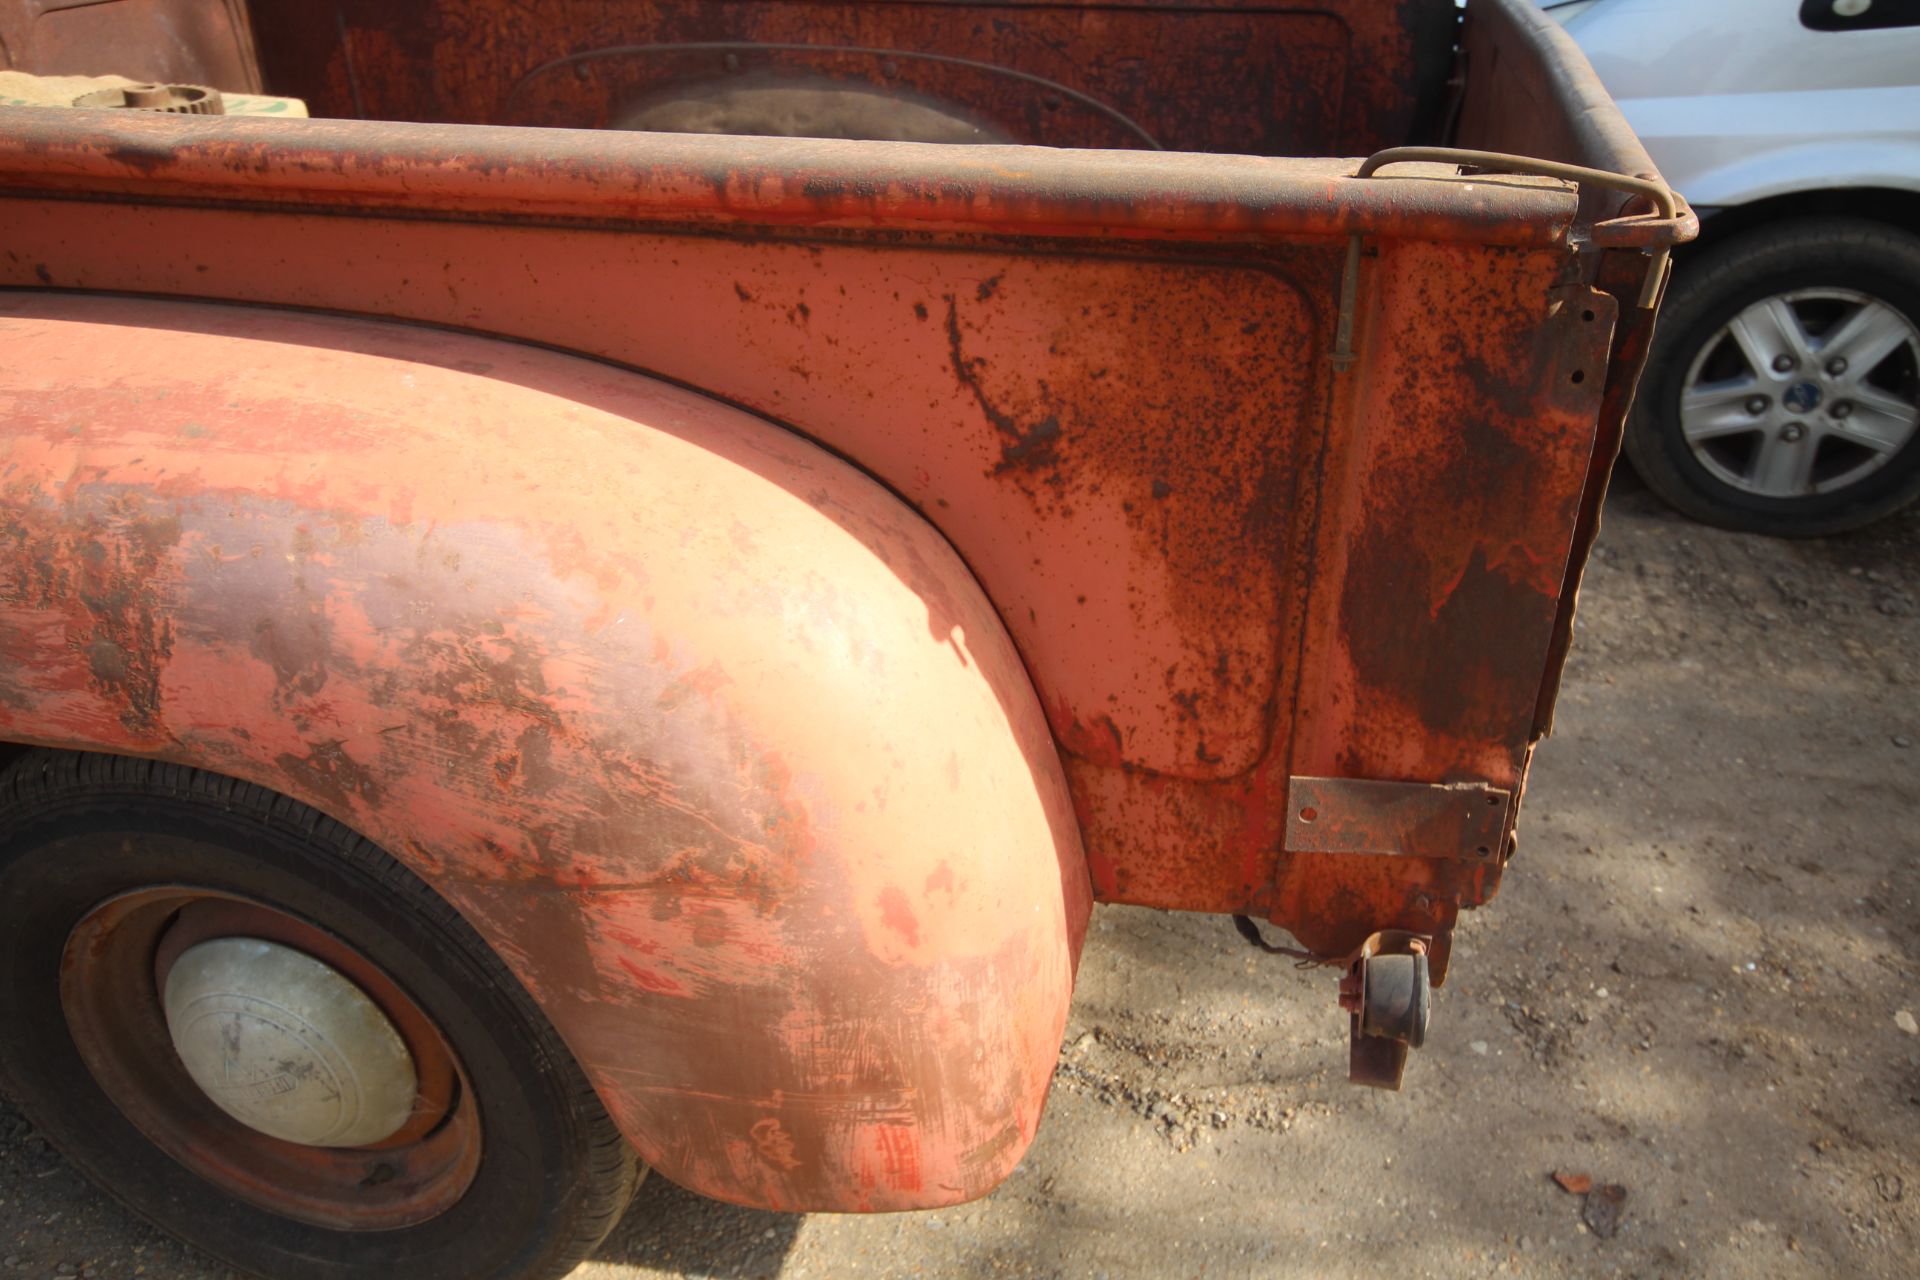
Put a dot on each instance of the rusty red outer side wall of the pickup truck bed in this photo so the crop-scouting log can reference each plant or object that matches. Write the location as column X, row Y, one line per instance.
column 1118, row 433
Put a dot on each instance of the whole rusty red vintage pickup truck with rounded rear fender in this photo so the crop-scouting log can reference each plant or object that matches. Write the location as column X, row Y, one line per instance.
column 631, row 617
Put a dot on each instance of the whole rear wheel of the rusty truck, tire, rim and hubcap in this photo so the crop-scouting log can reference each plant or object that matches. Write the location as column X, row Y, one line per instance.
column 272, row 1041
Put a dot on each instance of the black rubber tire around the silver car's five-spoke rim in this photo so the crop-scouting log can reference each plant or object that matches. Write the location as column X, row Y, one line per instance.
column 1716, row 285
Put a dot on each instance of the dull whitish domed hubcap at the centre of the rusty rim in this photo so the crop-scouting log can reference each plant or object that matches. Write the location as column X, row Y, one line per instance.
column 287, row 1045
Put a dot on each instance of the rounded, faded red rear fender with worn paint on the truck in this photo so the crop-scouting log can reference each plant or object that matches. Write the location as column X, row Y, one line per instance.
column 709, row 736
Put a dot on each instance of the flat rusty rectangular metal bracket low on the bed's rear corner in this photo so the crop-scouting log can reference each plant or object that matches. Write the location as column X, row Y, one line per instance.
column 1408, row 820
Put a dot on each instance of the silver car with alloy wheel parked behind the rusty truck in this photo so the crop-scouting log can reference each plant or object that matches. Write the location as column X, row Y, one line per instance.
column 1785, row 387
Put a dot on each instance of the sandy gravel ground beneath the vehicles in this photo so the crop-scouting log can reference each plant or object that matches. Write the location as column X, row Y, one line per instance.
column 1698, row 987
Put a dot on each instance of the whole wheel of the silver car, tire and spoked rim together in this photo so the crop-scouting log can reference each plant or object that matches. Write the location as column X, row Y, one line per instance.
column 1700, row 435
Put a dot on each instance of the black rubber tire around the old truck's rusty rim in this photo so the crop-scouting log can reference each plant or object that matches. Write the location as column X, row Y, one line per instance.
column 554, row 1175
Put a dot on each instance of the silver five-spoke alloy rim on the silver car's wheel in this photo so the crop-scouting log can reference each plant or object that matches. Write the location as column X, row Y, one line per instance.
column 1804, row 392
